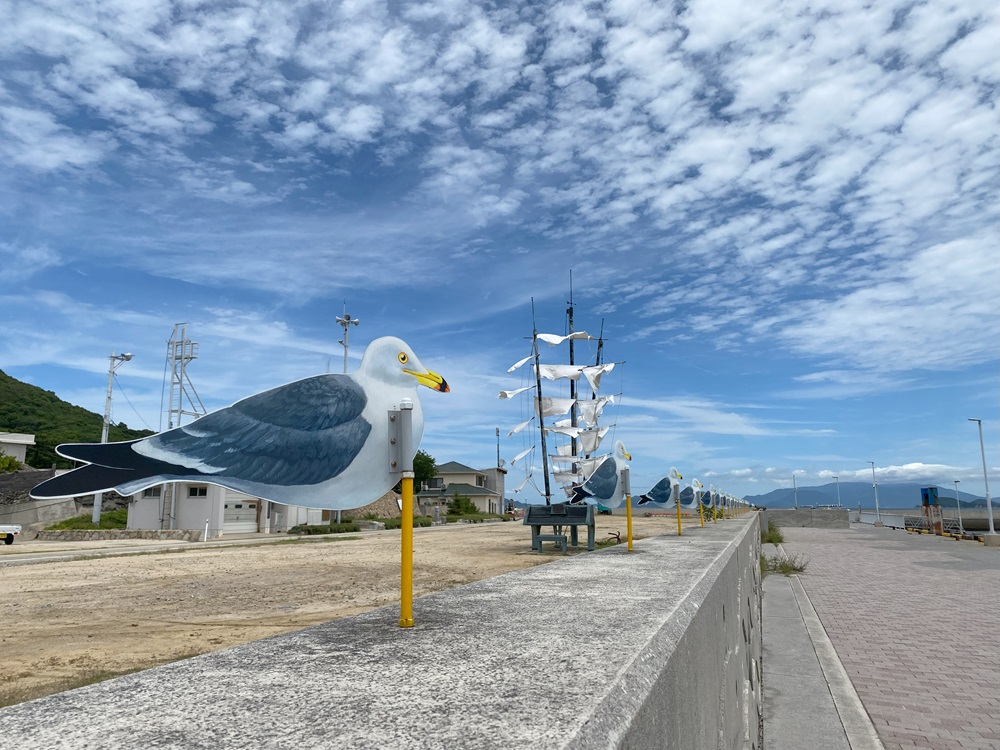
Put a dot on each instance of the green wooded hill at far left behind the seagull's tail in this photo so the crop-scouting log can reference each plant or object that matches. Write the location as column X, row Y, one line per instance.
column 27, row 408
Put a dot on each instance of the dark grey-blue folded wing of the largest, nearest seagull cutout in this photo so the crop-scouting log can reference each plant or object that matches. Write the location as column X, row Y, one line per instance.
column 301, row 433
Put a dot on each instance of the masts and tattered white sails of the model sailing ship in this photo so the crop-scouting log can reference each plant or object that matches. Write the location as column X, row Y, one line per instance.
column 568, row 427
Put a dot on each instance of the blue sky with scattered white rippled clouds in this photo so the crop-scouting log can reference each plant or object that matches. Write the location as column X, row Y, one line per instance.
column 785, row 214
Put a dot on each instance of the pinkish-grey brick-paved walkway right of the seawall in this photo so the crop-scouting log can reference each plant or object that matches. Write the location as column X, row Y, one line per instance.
column 916, row 622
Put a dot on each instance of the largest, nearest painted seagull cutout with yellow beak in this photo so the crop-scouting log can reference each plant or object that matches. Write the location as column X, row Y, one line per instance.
column 321, row 442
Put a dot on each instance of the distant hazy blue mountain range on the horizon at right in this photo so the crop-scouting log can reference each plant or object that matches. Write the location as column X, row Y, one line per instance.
column 895, row 495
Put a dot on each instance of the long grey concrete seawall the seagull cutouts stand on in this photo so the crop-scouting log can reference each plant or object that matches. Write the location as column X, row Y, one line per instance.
column 656, row 648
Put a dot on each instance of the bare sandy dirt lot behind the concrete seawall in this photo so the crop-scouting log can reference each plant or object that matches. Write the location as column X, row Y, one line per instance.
column 70, row 621
